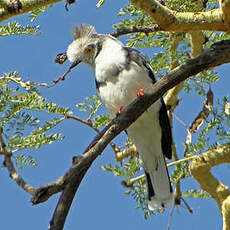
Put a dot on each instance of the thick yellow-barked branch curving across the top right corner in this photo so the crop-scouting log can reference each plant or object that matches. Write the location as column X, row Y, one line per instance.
column 170, row 20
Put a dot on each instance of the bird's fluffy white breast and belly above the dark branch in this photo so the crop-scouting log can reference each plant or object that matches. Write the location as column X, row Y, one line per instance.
column 121, row 87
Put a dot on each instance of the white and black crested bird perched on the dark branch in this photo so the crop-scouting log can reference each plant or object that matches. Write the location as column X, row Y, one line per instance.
column 121, row 75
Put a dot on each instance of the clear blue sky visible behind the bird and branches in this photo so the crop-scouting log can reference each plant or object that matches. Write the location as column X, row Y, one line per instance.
column 100, row 202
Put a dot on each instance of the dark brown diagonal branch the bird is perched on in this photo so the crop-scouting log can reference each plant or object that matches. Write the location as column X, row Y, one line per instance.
column 218, row 54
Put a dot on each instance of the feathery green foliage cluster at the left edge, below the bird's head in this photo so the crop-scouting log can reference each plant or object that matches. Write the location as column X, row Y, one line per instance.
column 20, row 101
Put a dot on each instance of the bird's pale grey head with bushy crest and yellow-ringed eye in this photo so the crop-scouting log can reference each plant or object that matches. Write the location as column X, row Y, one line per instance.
column 85, row 46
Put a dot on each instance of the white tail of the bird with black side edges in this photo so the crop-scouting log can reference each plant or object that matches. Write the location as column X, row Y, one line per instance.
column 160, row 193
